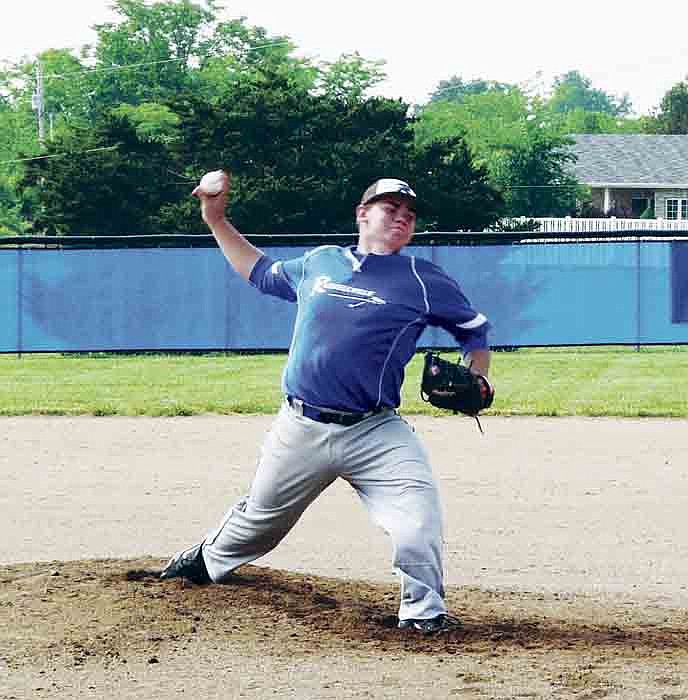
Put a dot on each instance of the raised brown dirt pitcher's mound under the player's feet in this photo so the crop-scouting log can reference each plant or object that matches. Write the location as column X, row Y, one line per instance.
column 114, row 612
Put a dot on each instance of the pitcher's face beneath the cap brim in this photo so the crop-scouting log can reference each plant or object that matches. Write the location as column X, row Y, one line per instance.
column 386, row 225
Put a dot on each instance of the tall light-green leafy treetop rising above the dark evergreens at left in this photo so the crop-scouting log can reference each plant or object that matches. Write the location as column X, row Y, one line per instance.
column 154, row 52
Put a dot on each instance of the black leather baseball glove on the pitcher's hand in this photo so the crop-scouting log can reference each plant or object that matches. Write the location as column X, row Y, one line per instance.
column 453, row 387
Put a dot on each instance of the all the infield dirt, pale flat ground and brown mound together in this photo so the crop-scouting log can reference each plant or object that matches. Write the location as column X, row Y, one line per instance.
column 566, row 557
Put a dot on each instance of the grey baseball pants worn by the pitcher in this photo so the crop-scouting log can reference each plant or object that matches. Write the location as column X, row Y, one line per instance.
column 383, row 460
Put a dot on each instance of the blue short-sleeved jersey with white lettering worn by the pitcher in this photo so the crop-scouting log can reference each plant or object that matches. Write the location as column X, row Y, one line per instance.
column 359, row 318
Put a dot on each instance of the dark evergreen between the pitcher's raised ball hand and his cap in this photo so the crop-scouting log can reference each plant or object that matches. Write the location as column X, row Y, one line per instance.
column 298, row 160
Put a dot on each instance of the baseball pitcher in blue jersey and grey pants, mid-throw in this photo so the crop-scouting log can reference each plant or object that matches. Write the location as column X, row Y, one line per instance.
column 361, row 310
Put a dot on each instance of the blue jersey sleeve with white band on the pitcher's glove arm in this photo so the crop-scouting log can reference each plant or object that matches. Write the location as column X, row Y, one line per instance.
column 449, row 308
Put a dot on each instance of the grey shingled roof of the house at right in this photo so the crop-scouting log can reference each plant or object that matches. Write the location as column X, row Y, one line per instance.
column 631, row 160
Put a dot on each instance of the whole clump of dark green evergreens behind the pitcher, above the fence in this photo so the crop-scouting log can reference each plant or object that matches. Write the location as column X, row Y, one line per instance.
column 299, row 161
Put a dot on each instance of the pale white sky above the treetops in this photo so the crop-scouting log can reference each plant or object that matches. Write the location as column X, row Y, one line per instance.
column 622, row 48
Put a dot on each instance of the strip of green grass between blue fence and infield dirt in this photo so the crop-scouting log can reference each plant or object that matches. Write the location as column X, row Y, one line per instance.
column 605, row 381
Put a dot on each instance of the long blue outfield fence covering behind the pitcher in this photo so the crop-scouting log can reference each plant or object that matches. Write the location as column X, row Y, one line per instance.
column 66, row 300
